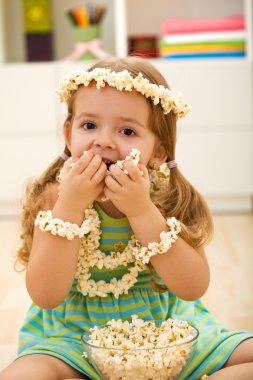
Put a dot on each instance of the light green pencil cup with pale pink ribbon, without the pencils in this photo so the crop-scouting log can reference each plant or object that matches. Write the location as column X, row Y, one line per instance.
column 87, row 41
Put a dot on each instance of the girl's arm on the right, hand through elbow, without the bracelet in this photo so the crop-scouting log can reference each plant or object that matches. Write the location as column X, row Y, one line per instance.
column 183, row 269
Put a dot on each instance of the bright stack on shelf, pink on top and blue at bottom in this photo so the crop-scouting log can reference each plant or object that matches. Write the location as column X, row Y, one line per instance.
column 203, row 38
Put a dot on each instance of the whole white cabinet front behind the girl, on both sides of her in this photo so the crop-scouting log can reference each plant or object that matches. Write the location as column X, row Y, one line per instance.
column 215, row 141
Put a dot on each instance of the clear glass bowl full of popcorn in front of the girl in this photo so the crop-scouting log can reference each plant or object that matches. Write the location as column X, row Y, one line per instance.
column 140, row 349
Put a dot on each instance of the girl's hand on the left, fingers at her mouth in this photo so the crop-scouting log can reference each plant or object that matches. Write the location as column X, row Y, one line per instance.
column 82, row 180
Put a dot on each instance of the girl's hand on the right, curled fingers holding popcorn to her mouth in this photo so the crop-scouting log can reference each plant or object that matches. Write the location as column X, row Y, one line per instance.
column 129, row 192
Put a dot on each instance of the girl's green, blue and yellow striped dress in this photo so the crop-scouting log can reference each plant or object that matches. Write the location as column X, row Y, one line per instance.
column 57, row 332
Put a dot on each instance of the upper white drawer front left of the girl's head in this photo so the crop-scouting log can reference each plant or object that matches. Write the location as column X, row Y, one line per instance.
column 27, row 103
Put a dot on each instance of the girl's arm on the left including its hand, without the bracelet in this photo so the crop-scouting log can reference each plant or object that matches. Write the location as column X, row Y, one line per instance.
column 53, row 259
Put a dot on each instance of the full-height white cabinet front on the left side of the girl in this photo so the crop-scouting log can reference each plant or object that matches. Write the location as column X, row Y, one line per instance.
column 28, row 127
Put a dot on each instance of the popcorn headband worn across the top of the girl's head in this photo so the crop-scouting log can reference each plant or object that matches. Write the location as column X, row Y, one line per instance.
column 170, row 101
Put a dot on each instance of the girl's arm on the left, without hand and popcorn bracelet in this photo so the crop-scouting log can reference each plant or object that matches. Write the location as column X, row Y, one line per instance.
column 52, row 262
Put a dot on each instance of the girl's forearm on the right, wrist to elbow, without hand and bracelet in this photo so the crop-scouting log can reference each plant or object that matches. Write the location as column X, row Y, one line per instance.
column 183, row 269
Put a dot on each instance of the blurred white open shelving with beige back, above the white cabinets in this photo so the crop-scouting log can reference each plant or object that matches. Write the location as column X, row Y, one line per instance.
column 123, row 18
